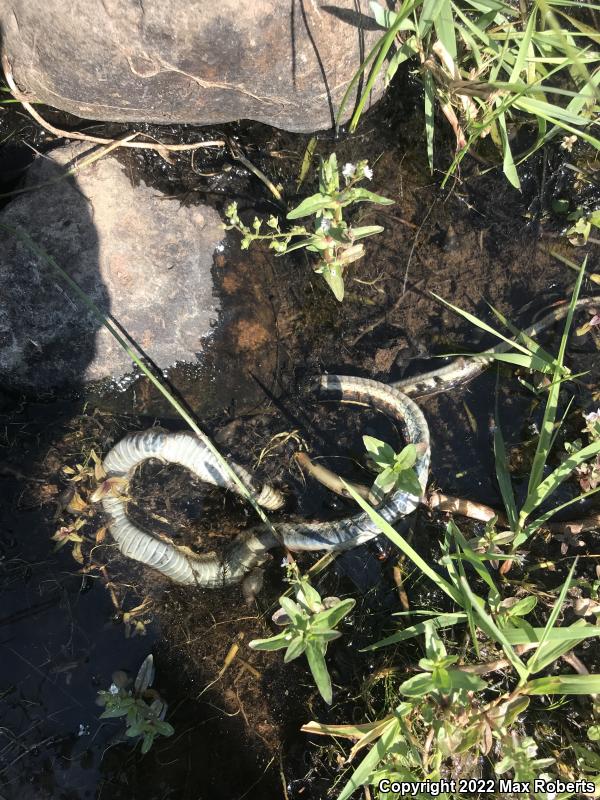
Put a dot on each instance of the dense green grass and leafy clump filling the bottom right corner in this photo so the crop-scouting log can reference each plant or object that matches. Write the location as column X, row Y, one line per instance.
column 445, row 716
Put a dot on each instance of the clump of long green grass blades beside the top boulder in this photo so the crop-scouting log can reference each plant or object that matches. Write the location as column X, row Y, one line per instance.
column 492, row 67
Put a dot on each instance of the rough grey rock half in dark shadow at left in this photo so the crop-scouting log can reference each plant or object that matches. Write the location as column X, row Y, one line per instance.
column 142, row 257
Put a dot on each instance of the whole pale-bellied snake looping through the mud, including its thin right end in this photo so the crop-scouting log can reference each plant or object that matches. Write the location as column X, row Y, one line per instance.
column 251, row 548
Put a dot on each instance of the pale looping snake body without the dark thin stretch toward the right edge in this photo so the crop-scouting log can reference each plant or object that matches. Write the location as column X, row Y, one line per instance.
column 250, row 549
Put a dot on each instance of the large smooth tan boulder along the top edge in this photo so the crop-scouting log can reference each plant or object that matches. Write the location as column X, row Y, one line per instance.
column 202, row 62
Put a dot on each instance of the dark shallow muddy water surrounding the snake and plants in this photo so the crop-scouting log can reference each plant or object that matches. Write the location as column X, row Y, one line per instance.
column 66, row 626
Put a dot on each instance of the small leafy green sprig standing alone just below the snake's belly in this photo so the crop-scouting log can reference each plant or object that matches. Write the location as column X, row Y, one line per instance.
column 309, row 625
